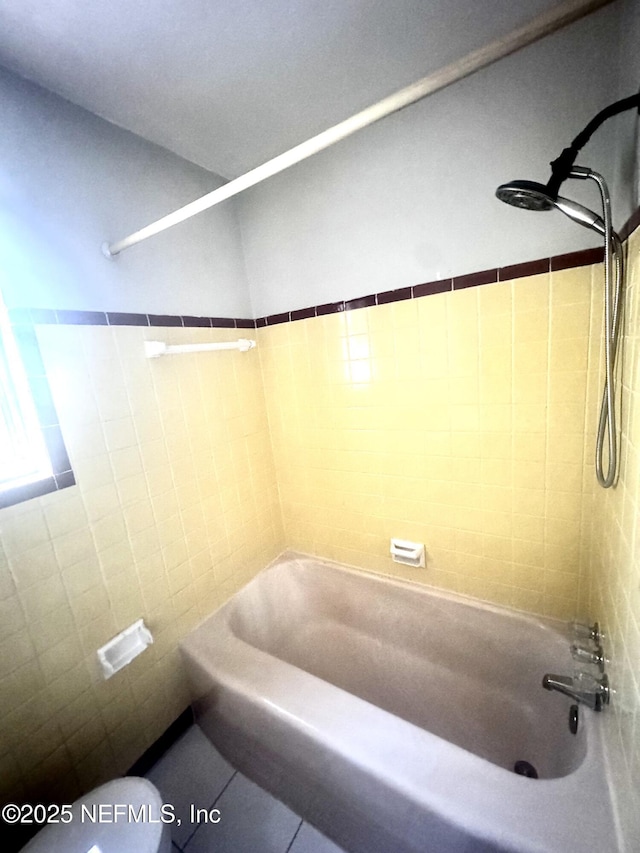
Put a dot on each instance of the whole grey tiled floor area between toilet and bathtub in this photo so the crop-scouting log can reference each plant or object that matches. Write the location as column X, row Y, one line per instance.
column 193, row 775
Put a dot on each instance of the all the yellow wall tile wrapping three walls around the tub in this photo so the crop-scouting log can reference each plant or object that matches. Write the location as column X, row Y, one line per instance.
column 465, row 420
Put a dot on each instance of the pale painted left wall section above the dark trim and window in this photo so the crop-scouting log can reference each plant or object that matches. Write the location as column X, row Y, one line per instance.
column 70, row 181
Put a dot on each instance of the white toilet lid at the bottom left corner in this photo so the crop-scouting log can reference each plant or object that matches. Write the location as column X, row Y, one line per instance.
column 122, row 816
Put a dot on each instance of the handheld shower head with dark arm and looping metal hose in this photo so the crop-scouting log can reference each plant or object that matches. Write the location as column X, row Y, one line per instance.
column 534, row 196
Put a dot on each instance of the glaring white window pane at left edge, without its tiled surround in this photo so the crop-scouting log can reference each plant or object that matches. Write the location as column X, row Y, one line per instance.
column 24, row 457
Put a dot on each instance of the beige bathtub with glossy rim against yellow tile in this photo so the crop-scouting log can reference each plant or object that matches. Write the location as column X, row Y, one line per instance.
column 391, row 716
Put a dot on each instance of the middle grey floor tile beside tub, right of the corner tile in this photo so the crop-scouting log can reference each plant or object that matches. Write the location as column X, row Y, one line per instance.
column 251, row 821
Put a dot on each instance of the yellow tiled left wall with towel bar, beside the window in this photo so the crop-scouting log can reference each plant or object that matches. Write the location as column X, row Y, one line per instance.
column 176, row 507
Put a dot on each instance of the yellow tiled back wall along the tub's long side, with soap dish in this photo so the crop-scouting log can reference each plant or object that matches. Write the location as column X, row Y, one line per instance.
column 456, row 420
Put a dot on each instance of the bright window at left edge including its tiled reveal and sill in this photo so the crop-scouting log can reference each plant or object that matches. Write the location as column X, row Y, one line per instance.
column 33, row 458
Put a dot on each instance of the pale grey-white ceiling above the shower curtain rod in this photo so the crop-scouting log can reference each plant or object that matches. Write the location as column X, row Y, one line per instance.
column 228, row 84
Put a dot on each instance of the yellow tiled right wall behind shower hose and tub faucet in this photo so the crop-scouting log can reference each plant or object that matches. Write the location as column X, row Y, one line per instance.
column 610, row 584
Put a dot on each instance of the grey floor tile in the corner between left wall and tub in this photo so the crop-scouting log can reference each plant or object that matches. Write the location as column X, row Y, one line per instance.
column 191, row 773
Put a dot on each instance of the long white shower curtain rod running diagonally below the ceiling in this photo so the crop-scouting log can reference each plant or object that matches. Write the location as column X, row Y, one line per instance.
column 545, row 24
